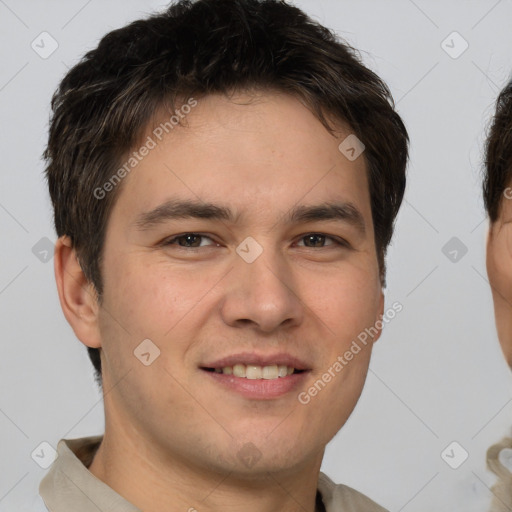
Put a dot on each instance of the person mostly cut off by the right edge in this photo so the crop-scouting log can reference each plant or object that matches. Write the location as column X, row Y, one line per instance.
column 497, row 199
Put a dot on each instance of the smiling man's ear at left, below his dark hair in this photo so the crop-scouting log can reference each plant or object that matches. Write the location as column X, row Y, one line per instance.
column 78, row 297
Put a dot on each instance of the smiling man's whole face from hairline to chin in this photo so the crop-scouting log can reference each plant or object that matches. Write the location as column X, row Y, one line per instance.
column 256, row 275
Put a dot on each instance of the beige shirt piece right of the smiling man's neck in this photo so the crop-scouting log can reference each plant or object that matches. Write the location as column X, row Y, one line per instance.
column 339, row 497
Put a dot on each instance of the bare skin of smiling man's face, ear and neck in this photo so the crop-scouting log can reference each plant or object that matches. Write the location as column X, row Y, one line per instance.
column 172, row 435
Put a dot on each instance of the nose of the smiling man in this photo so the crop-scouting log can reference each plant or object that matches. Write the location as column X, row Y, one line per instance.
column 262, row 294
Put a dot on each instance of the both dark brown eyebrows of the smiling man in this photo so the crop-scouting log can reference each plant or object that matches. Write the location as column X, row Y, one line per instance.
column 187, row 209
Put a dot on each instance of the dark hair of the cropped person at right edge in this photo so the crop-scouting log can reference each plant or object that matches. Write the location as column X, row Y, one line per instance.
column 498, row 154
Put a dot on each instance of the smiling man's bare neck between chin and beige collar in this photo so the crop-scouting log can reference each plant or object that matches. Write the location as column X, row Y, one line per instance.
column 151, row 481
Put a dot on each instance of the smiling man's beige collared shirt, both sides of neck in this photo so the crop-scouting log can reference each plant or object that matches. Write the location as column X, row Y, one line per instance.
column 69, row 485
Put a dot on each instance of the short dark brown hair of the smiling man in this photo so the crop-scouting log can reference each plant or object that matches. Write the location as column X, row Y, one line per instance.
column 196, row 48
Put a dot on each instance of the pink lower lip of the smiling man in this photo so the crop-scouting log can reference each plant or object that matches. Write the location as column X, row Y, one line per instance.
column 259, row 389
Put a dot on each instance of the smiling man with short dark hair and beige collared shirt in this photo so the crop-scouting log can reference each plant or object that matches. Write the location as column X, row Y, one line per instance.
column 225, row 178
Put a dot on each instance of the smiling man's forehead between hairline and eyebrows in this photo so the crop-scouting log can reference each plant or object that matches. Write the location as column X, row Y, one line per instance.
column 250, row 151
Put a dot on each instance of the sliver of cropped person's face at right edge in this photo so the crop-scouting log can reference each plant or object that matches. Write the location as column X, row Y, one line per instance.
column 499, row 270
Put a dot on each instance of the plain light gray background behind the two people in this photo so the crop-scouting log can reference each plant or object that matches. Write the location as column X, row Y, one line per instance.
column 437, row 374
